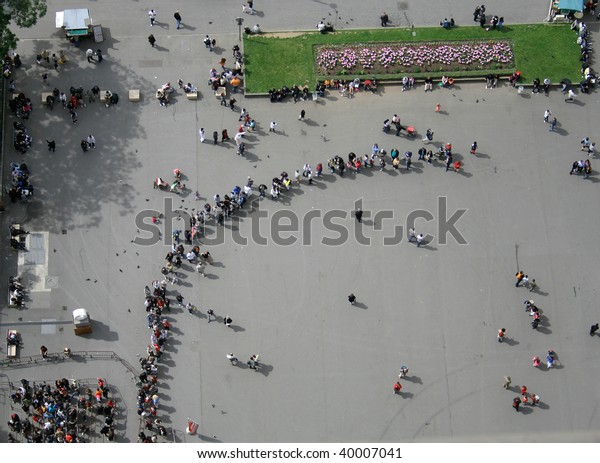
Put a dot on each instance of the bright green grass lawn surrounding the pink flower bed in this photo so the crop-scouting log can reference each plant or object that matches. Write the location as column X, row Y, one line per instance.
column 540, row 50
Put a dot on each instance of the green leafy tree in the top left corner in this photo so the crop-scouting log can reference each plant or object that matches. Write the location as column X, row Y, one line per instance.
column 23, row 13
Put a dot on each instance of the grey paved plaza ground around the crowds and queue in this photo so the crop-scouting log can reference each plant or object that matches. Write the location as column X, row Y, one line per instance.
column 328, row 367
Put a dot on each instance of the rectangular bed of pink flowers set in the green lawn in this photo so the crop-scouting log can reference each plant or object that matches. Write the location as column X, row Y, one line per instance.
column 398, row 58
